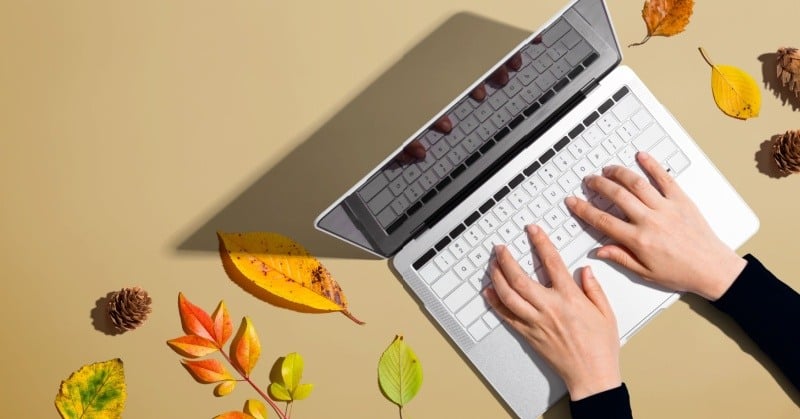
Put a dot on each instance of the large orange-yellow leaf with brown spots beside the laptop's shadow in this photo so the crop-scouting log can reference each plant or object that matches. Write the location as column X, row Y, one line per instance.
column 280, row 271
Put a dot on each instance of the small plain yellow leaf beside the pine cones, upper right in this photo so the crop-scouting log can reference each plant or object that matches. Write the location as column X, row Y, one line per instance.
column 735, row 92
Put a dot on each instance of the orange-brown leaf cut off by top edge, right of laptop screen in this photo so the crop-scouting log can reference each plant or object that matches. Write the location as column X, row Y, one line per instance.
column 665, row 17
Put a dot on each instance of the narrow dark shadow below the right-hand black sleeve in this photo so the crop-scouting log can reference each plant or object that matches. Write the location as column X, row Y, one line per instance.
column 732, row 330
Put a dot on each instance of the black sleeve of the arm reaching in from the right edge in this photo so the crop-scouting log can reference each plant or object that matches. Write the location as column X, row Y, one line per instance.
column 767, row 310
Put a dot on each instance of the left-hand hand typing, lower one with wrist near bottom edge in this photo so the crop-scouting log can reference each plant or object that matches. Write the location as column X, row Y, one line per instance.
column 572, row 327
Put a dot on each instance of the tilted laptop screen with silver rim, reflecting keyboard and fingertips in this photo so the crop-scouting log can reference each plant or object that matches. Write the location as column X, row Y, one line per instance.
column 492, row 120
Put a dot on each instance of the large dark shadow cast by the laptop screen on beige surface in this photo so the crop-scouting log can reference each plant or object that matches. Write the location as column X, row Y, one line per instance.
column 289, row 196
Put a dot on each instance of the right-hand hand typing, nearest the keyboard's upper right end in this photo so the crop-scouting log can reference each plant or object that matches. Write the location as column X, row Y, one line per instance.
column 665, row 239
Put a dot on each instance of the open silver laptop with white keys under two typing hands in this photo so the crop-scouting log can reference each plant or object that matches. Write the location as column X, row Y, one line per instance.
column 508, row 159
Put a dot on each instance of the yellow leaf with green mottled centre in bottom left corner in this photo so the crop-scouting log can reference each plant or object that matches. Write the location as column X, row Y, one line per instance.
column 95, row 391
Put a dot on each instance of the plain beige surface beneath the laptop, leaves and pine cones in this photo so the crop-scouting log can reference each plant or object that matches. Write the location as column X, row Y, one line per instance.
column 131, row 131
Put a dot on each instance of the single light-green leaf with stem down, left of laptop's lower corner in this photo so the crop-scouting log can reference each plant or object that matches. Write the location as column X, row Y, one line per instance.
column 399, row 372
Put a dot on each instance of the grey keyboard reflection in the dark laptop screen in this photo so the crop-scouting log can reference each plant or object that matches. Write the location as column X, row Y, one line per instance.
column 398, row 191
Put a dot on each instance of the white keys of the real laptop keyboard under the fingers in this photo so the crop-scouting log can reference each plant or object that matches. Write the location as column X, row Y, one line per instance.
column 455, row 269
